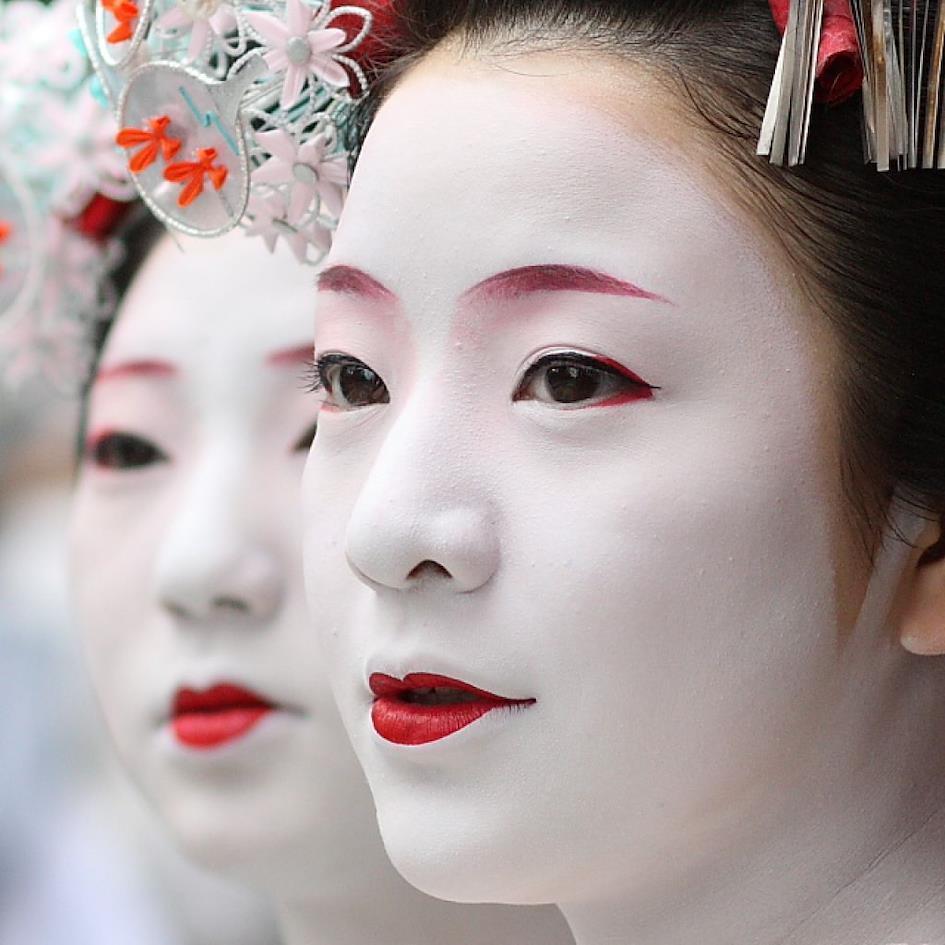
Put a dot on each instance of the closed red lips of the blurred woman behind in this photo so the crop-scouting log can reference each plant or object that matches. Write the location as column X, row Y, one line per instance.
column 216, row 716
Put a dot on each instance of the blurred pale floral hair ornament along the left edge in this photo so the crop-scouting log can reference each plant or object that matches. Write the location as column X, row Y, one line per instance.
column 63, row 191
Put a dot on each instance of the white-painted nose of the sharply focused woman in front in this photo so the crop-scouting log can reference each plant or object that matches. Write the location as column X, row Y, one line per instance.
column 423, row 514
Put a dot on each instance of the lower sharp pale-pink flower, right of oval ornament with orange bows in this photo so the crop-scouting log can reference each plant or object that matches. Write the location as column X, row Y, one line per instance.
column 314, row 177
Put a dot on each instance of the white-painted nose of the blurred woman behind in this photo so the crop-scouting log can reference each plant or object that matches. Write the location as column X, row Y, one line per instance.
column 215, row 562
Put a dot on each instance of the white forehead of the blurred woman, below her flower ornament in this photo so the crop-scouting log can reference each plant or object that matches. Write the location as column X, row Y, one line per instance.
column 199, row 303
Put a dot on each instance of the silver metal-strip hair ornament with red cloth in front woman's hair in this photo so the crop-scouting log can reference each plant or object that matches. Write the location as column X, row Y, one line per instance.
column 890, row 49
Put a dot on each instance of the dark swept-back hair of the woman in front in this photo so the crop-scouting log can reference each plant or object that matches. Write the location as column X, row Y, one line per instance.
column 867, row 246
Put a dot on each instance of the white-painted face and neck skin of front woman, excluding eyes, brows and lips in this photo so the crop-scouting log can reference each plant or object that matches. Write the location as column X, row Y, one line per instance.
column 727, row 732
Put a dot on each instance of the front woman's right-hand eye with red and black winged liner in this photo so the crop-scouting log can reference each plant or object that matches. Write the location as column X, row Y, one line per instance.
column 569, row 379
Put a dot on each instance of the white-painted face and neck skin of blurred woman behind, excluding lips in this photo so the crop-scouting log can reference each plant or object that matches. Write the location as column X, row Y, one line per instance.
column 162, row 552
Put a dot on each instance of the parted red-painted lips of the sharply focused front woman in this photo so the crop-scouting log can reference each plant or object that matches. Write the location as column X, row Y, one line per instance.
column 423, row 708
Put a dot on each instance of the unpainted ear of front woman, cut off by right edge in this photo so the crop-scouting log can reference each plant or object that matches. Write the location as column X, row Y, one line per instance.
column 922, row 616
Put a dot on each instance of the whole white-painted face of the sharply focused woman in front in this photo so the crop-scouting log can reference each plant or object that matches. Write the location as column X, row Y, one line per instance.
column 584, row 470
